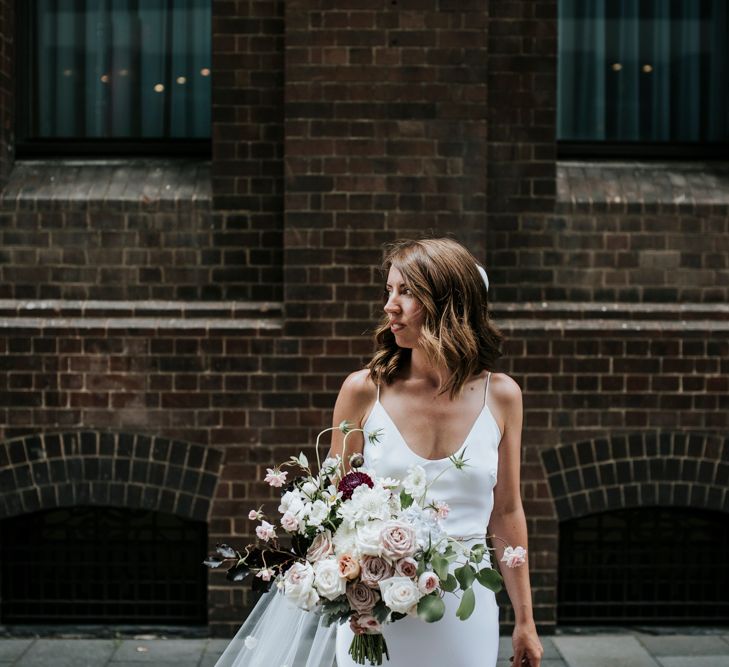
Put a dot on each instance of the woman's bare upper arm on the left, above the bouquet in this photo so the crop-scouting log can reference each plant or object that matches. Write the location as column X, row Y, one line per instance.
column 355, row 397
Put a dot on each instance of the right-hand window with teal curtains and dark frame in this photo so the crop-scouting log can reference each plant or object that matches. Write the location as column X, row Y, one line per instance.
column 645, row 77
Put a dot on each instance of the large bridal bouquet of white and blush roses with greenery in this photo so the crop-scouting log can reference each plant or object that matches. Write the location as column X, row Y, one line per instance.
column 368, row 549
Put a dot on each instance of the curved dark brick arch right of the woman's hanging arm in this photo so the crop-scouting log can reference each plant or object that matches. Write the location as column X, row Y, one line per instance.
column 639, row 469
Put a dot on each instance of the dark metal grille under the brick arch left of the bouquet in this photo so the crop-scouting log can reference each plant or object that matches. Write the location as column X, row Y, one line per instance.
column 102, row 565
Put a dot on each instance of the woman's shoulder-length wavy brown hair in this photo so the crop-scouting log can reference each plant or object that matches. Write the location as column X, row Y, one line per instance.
column 457, row 332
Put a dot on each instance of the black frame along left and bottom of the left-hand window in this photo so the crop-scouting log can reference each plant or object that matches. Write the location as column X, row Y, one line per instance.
column 27, row 146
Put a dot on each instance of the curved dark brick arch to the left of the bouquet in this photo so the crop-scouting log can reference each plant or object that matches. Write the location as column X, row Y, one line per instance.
column 134, row 471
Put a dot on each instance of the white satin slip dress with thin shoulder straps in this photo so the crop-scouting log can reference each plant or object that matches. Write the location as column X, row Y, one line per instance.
column 469, row 494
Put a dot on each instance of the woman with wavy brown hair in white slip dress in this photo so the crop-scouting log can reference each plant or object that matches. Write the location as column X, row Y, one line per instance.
column 430, row 389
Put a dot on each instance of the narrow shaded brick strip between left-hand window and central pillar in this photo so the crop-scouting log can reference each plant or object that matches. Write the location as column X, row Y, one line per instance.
column 247, row 138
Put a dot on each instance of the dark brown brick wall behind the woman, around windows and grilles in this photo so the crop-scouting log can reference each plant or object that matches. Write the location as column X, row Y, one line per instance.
column 336, row 129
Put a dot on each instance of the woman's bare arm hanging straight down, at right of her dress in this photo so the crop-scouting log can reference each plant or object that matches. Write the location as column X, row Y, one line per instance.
column 509, row 523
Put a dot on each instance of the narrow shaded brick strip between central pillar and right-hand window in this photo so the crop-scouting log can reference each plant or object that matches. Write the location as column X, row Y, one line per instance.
column 522, row 84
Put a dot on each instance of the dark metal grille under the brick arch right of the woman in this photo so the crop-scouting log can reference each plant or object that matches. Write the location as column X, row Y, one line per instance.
column 650, row 565
